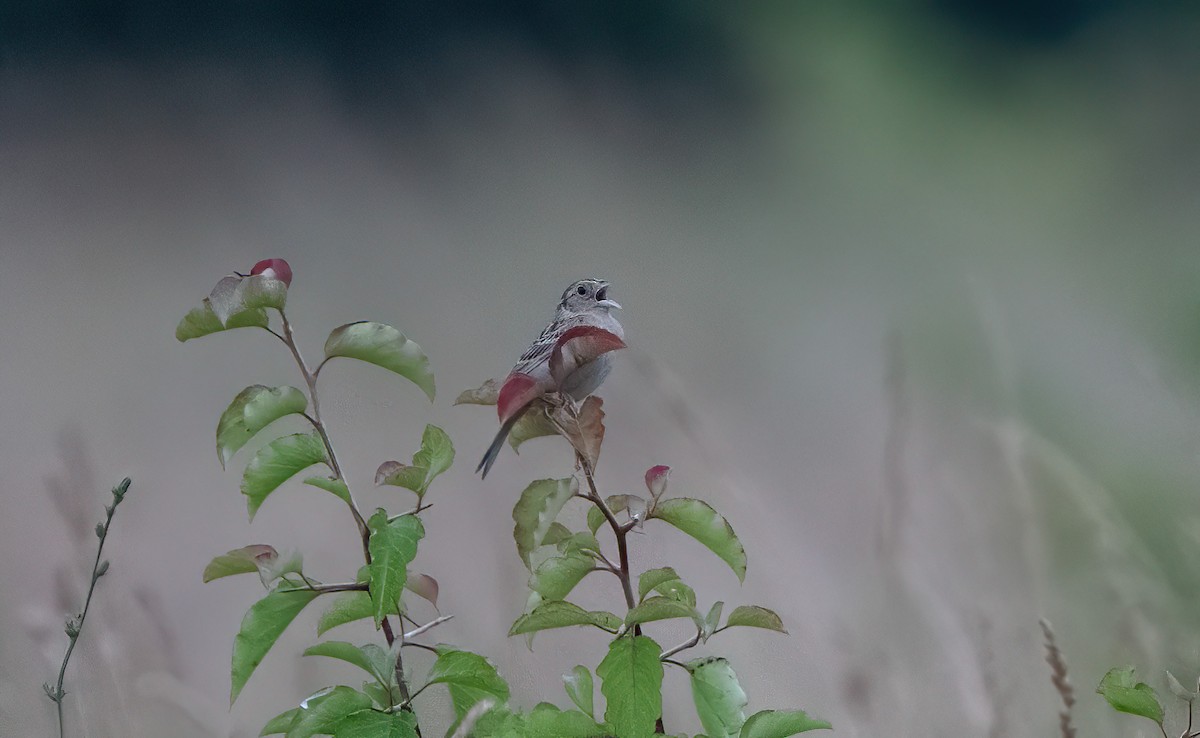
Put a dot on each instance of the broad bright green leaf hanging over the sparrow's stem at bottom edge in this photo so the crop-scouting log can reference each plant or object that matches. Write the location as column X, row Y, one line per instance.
column 632, row 682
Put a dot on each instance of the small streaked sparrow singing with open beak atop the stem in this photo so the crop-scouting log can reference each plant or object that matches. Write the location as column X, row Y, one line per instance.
column 569, row 357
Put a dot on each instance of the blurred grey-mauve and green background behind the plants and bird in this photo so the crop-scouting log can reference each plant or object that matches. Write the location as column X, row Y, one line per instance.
column 911, row 291
